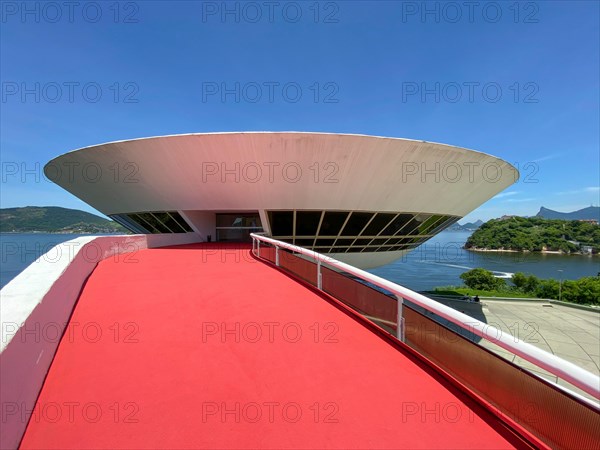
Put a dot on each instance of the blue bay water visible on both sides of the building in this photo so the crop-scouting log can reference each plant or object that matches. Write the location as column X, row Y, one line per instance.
column 437, row 262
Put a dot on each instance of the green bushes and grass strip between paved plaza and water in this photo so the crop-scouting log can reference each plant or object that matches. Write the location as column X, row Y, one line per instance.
column 482, row 282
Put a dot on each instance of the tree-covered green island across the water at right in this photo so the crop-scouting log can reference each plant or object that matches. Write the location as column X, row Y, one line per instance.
column 536, row 234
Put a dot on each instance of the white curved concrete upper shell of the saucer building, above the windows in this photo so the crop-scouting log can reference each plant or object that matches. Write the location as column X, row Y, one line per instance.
column 280, row 170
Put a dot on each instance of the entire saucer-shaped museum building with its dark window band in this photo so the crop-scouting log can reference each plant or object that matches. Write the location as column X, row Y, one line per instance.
column 319, row 190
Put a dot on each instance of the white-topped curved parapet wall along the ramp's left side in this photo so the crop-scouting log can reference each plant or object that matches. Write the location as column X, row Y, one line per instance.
column 35, row 310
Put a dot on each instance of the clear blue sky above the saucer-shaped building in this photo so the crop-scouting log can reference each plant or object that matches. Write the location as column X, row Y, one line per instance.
column 519, row 80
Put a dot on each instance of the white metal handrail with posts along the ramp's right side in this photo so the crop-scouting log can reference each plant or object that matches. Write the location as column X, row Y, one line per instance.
column 563, row 369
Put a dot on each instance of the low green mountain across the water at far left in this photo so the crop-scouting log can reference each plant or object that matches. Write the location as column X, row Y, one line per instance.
column 52, row 219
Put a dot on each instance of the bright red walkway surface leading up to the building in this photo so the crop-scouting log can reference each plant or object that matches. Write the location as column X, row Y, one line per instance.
column 194, row 347
